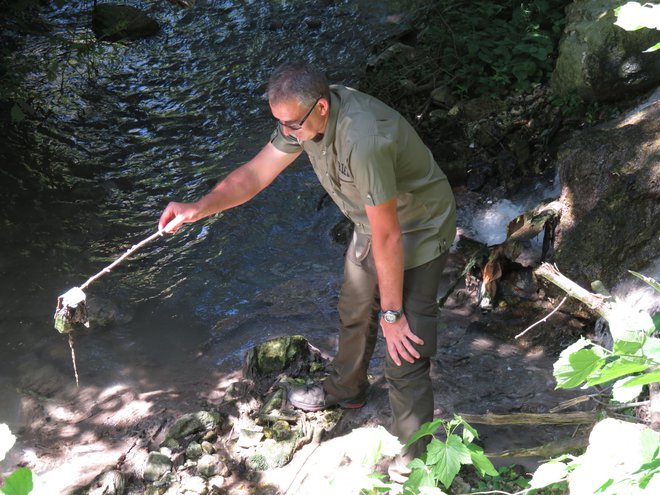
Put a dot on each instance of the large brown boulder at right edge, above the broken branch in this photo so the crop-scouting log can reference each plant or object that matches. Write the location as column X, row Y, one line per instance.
column 610, row 178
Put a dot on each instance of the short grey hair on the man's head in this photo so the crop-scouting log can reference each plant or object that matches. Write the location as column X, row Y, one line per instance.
column 298, row 80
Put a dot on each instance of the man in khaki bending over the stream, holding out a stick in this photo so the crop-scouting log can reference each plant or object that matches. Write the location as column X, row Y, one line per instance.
column 380, row 174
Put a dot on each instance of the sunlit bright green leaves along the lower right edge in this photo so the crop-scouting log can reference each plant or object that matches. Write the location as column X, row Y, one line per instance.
column 633, row 362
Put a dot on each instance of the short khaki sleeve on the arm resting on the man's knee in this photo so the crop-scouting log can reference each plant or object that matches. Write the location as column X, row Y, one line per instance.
column 372, row 167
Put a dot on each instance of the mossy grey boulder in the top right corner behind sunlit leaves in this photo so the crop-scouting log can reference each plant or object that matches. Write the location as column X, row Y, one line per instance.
column 601, row 61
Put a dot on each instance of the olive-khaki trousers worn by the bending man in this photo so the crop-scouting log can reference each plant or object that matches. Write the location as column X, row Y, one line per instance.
column 410, row 387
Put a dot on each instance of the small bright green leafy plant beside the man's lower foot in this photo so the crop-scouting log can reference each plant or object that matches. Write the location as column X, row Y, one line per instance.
column 443, row 458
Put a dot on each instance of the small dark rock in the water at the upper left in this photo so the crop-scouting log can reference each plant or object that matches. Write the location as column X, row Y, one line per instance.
column 112, row 22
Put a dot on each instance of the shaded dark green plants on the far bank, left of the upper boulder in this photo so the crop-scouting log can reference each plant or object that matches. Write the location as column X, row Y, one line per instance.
column 476, row 48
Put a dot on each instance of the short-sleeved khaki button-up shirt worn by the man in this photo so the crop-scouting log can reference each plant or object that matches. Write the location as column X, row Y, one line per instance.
column 370, row 154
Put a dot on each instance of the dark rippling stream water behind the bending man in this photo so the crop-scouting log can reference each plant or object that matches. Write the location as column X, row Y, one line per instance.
column 138, row 125
